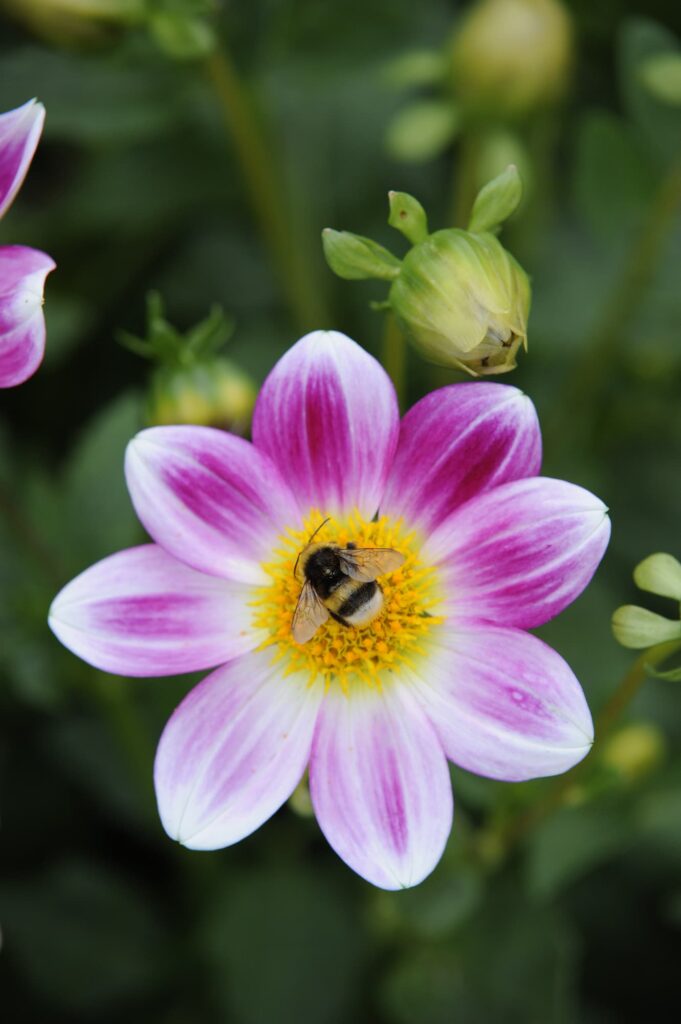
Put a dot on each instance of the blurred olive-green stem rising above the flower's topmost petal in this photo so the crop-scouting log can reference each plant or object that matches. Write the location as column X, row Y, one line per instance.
column 265, row 191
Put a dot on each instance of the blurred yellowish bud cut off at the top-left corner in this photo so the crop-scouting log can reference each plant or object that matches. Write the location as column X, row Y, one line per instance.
column 76, row 22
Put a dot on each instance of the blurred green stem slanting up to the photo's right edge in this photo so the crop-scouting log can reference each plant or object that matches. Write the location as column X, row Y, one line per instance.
column 589, row 374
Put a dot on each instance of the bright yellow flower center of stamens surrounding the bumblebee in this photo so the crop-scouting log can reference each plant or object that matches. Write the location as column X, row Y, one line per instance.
column 351, row 654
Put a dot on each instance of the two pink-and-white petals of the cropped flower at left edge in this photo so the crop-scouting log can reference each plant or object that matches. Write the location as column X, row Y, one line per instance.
column 23, row 271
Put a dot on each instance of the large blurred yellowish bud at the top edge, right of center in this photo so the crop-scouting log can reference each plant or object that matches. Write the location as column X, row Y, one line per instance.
column 512, row 58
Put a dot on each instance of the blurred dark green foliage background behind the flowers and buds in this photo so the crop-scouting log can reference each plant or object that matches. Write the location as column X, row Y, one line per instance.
column 549, row 906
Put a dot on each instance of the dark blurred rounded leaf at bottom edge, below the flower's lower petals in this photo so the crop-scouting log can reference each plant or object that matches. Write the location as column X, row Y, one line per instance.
column 285, row 946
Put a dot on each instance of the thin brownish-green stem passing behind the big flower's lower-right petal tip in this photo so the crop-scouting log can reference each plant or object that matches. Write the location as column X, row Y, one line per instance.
column 514, row 832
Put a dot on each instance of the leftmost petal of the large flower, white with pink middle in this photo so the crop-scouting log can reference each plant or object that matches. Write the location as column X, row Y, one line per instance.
column 142, row 613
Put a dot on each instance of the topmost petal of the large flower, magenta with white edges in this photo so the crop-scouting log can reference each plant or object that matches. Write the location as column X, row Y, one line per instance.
column 328, row 416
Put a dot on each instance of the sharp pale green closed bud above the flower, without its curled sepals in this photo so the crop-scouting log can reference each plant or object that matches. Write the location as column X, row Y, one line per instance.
column 464, row 302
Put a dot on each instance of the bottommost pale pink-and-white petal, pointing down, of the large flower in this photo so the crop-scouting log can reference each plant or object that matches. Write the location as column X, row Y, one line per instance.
column 380, row 785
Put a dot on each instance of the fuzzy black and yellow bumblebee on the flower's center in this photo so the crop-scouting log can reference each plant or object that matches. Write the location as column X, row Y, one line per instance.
column 340, row 583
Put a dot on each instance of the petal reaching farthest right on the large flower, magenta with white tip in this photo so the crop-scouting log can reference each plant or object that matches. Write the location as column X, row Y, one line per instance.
column 520, row 554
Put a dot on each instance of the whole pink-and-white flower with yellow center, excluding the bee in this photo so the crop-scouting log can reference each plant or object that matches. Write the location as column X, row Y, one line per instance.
column 445, row 673
